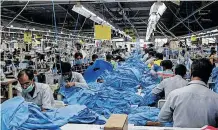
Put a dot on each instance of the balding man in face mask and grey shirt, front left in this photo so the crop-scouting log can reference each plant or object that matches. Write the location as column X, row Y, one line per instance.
column 38, row 93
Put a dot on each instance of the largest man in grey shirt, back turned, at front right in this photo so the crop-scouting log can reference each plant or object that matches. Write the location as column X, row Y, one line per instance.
column 195, row 105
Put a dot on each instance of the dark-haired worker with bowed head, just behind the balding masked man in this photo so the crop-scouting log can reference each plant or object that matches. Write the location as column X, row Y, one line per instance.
column 71, row 78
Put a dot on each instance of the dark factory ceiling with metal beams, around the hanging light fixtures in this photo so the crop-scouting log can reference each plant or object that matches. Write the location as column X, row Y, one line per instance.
column 184, row 17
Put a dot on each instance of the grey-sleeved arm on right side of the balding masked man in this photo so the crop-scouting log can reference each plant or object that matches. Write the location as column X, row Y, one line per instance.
column 47, row 99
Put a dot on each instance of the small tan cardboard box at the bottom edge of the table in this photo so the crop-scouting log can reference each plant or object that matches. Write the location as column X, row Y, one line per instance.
column 117, row 122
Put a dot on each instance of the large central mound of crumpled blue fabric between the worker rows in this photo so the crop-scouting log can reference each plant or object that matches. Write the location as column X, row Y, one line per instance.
column 117, row 94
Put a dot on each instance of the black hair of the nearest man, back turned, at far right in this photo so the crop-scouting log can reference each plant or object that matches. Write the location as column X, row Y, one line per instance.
column 201, row 68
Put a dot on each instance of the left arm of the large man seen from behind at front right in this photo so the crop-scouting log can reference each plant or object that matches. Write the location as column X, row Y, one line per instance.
column 166, row 113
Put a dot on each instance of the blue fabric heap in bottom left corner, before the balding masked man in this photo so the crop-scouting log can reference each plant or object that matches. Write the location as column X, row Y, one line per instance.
column 16, row 114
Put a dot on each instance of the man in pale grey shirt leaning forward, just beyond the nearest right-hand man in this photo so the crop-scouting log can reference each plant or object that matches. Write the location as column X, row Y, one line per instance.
column 170, row 84
